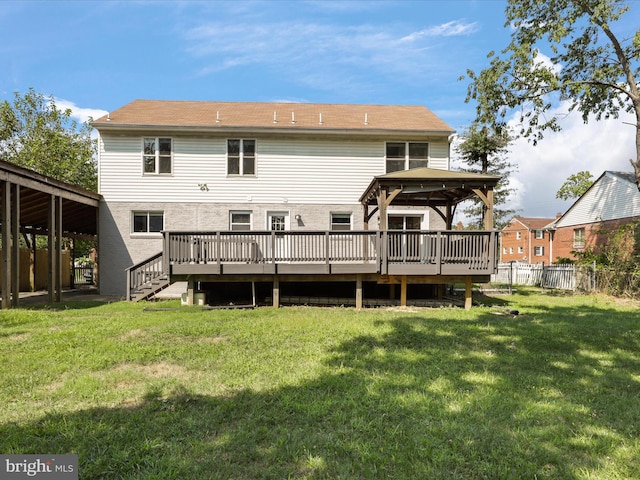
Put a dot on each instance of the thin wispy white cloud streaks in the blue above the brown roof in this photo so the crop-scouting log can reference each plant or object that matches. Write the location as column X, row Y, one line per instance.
column 318, row 54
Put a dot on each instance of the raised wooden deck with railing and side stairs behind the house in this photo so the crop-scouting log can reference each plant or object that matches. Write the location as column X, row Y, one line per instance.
column 437, row 257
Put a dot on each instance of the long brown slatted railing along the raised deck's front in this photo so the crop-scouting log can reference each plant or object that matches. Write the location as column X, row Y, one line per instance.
column 384, row 252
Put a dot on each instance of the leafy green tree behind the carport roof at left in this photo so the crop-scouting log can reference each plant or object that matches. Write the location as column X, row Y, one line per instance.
column 35, row 134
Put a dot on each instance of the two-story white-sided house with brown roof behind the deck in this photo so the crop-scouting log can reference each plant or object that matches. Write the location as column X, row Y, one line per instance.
column 183, row 166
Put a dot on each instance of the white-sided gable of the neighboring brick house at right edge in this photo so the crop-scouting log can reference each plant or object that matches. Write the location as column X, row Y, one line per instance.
column 613, row 196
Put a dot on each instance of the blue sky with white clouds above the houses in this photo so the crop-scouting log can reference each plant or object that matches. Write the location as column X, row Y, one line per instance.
column 95, row 56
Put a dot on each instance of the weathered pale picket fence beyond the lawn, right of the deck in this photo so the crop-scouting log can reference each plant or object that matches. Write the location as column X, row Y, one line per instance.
column 562, row 277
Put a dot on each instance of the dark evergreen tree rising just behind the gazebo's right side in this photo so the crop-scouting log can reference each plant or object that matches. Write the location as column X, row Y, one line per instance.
column 484, row 151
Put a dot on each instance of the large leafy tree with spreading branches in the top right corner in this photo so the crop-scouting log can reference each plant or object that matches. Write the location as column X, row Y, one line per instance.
column 592, row 63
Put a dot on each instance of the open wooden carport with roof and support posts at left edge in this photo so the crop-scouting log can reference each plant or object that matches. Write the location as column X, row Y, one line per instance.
column 34, row 203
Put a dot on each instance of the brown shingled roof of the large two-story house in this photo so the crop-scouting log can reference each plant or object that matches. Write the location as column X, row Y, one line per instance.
column 196, row 115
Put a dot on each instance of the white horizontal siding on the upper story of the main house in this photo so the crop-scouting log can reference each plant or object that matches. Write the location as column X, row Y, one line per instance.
column 300, row 171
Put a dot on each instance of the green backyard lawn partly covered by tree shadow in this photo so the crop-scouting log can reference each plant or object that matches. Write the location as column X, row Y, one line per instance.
column 328, row 392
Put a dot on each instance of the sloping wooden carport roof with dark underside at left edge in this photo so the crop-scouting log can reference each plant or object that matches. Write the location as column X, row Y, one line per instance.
column 79, row 206
